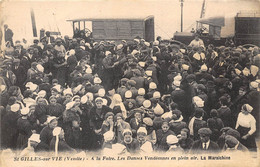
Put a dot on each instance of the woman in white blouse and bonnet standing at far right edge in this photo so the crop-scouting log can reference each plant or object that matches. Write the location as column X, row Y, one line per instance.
column 246, row 126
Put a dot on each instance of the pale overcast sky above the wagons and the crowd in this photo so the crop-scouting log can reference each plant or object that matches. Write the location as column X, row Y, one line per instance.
column 52, row 15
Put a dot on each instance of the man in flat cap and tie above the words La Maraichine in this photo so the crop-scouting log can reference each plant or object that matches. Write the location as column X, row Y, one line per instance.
column 204, row 144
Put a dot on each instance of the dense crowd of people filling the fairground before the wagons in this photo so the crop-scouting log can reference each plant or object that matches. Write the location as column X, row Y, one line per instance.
column 75, row 94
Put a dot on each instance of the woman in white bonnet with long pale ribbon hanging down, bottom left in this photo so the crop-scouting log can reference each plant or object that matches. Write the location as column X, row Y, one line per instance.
column 58, row 144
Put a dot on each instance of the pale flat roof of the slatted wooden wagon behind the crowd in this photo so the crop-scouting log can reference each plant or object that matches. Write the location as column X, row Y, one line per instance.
column 112, row 18
